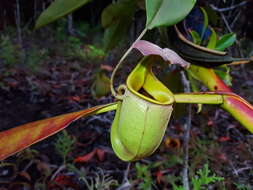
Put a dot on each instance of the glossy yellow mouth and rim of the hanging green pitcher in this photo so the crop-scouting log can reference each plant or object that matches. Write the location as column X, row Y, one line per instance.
column 144, row 84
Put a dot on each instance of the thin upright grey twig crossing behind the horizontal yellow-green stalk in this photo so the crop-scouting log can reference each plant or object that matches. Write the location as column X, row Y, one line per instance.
column 187, row 129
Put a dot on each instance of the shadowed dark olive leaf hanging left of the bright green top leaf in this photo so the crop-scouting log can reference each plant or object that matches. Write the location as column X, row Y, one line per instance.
column 117, row 18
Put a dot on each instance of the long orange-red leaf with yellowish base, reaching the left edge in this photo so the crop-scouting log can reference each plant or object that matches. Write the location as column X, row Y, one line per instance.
column 19, row 138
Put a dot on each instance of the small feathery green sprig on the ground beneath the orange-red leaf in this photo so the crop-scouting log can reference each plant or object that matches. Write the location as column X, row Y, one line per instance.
column 64, row 145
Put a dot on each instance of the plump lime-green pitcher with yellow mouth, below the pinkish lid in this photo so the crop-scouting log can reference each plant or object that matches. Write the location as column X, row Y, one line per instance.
column 142, row 114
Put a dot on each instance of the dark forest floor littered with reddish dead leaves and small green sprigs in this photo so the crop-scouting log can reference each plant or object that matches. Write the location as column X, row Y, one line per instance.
column 62, row 85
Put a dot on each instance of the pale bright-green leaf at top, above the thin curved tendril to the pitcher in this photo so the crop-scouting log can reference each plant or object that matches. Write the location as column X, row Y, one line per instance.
column 167, row 12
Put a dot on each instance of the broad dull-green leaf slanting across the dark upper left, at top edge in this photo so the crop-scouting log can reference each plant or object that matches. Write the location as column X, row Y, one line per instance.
column 58, row 9
